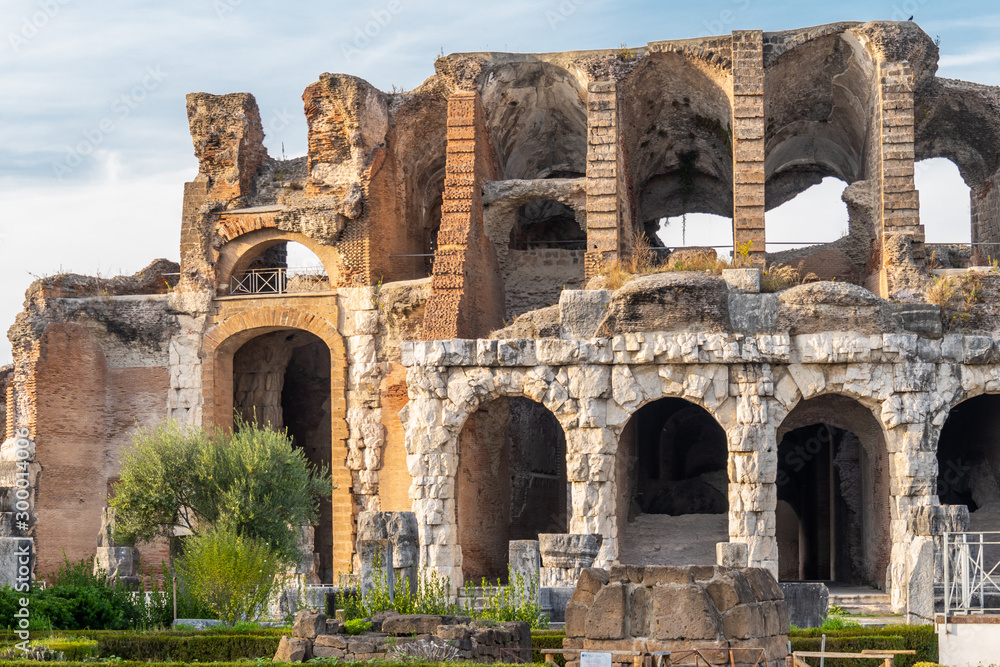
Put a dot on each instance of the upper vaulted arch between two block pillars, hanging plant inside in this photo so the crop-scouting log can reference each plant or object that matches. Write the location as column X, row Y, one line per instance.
column 677, row 130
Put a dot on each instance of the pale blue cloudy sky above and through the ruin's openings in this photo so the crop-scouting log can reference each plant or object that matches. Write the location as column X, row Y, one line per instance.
column 94, row 141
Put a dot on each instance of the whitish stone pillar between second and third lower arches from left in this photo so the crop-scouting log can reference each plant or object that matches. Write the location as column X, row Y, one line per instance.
column 753, row 467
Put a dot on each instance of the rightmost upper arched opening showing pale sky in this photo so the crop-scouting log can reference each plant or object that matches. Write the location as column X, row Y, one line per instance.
column 946, row 214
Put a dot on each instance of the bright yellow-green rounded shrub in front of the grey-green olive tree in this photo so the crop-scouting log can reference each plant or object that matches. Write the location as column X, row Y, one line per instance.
column 234, row 576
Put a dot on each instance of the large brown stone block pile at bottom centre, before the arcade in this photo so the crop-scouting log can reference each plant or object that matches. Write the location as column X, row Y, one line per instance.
column 670, row 608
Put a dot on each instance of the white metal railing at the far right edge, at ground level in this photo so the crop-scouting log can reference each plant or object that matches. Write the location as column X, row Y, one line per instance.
column 971, row 563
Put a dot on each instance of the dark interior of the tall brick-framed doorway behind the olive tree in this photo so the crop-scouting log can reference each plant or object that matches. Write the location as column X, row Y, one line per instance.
column 281, row 379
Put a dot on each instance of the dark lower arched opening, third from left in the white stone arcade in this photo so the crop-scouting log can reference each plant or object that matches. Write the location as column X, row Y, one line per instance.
column 833, row 494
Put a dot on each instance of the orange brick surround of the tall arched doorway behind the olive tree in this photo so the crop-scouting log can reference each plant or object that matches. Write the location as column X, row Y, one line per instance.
column 220, row 344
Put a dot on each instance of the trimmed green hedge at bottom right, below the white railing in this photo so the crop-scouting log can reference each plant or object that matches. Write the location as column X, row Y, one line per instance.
column 920, row 638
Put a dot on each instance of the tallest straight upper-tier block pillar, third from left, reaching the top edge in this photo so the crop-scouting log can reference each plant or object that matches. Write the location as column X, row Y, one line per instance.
column 748, row 147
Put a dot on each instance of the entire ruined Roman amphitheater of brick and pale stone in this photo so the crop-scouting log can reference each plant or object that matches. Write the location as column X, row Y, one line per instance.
column 462, row 354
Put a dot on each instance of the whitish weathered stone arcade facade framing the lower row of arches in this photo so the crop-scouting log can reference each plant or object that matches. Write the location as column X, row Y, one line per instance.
column 748, row 383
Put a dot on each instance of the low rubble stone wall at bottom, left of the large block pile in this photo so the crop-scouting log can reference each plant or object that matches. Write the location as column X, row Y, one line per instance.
column 396, row 635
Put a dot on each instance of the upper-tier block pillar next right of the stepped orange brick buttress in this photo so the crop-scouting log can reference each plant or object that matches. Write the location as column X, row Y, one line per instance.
column 607, row 215
